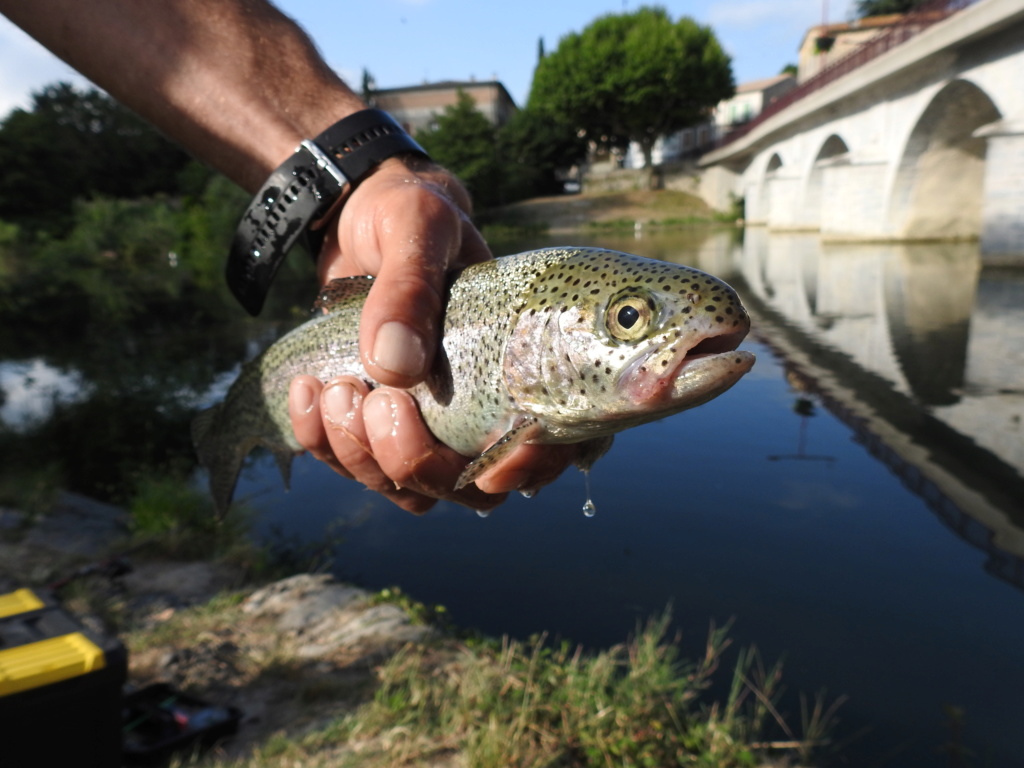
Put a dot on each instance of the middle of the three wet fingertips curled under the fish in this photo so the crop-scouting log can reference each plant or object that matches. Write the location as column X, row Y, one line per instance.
column 342, row 405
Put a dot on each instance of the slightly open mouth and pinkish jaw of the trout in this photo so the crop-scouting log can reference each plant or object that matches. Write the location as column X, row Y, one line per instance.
column 689, row 377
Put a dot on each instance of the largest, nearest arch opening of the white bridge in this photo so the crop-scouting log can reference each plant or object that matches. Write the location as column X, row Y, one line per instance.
column 938, row 188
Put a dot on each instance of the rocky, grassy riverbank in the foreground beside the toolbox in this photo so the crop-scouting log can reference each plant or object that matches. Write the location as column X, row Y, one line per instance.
column 329, row 674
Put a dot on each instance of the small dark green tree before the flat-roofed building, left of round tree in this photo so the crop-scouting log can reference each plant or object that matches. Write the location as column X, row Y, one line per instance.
column 466, row 143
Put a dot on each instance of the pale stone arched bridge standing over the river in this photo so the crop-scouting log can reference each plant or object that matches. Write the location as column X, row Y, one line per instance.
column 923, row 142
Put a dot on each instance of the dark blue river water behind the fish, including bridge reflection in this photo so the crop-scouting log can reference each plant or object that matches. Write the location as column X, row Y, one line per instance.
column 856, row 505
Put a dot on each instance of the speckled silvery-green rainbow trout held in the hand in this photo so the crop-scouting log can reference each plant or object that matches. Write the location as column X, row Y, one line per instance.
column 557, row 346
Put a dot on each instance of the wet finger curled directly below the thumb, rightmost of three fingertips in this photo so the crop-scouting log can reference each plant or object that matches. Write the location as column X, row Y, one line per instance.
column 411, row 456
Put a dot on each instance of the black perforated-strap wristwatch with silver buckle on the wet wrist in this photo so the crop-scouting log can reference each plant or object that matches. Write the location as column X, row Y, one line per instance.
column 303, row 192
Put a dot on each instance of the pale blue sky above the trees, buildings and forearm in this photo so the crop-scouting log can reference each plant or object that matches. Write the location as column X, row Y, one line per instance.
column 409, row 42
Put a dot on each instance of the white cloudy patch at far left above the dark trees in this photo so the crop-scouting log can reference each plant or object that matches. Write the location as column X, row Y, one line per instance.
column 27, row 67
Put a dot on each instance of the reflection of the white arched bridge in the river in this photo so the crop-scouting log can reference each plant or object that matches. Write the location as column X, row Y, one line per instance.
column 895, row 340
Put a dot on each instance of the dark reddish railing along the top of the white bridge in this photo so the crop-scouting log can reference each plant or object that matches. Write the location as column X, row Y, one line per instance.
column 912, row 24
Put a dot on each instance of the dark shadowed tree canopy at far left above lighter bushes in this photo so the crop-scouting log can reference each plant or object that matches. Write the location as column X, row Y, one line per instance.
column 75, row 145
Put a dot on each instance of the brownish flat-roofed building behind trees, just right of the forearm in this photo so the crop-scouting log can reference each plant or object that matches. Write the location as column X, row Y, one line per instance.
column 417, row 107
